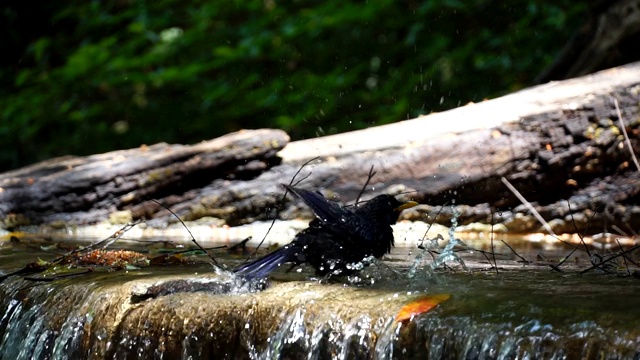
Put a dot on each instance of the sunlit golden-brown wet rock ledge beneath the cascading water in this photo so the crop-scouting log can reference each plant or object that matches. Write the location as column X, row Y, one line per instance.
column 204, row 316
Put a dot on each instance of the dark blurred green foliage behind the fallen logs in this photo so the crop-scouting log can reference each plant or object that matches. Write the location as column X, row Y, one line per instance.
column 86, row 77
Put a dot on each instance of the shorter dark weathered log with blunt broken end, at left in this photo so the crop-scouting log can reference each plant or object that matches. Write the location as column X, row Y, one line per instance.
column 80, row 190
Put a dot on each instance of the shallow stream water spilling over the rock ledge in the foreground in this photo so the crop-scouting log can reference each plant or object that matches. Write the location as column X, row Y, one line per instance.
column 520, row 311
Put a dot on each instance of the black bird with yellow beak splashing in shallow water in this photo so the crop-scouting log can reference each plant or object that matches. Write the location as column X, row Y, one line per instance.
column 337, row 238
